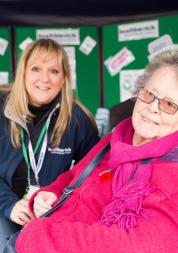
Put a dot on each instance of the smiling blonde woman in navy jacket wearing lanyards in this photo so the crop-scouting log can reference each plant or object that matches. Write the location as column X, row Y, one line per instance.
column 43, row 130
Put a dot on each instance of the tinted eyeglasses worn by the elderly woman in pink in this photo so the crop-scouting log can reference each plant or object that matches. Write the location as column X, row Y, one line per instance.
column 163, row 104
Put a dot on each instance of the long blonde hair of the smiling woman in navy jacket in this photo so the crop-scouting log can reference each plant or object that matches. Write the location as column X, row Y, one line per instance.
column 18, row 97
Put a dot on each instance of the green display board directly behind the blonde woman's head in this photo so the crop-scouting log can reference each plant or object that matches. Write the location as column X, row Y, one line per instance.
column 81, row 44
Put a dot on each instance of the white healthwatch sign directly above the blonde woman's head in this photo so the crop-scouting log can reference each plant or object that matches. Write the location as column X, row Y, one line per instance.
column 63, row 36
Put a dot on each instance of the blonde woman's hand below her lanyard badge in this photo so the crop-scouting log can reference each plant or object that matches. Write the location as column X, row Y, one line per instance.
column 20, row 213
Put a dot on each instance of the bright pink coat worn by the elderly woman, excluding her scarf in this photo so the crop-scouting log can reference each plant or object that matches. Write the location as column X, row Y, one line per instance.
column 76, row 226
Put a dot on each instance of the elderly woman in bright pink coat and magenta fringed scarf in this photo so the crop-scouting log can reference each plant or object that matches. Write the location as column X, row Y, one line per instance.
column 135, row 209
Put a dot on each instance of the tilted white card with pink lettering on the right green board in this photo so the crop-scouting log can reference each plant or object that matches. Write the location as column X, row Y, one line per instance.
column 118, row 61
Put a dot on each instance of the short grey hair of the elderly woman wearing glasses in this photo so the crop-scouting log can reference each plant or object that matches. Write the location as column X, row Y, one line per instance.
column 168, row 58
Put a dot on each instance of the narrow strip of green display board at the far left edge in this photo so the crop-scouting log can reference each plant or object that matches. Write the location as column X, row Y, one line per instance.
column 5, row 56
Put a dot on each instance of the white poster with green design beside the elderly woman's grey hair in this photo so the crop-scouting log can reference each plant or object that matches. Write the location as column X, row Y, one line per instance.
column 127, row 83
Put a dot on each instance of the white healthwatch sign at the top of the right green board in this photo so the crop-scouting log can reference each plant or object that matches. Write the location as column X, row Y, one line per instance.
column 138, row 30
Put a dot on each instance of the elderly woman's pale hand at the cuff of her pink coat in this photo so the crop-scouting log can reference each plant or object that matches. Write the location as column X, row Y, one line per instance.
column 43, row 202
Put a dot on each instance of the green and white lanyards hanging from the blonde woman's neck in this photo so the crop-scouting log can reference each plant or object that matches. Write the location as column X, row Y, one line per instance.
column 30, row 160
